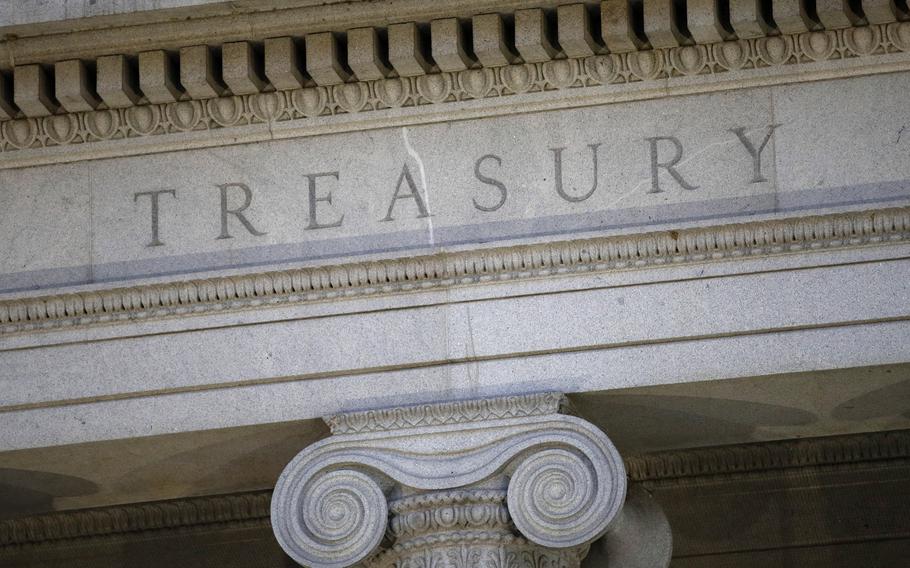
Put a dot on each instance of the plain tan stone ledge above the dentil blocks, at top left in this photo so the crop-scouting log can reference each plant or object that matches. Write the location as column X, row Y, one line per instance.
column 131, row 32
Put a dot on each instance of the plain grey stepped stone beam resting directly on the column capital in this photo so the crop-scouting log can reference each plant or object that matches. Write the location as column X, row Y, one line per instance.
column 391, row 348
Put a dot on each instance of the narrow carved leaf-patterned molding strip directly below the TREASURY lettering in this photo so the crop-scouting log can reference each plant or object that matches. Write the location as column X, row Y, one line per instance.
column 502, row 264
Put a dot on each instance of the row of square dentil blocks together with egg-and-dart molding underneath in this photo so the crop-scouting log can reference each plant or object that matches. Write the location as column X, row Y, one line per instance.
column 417, row 72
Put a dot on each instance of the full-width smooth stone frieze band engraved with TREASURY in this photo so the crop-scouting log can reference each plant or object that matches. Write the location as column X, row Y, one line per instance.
column 397, row 192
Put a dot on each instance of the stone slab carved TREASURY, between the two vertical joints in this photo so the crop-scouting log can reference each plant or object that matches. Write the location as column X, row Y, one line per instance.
column 428, row 187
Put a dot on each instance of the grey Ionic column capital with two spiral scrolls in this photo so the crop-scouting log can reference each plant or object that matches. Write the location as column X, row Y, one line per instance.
column 505, row 482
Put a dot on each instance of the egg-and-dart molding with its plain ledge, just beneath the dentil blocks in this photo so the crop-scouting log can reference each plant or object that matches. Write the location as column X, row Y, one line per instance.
column 356, row 105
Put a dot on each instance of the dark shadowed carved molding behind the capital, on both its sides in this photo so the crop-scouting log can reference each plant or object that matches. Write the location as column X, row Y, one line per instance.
column 860, row 450
